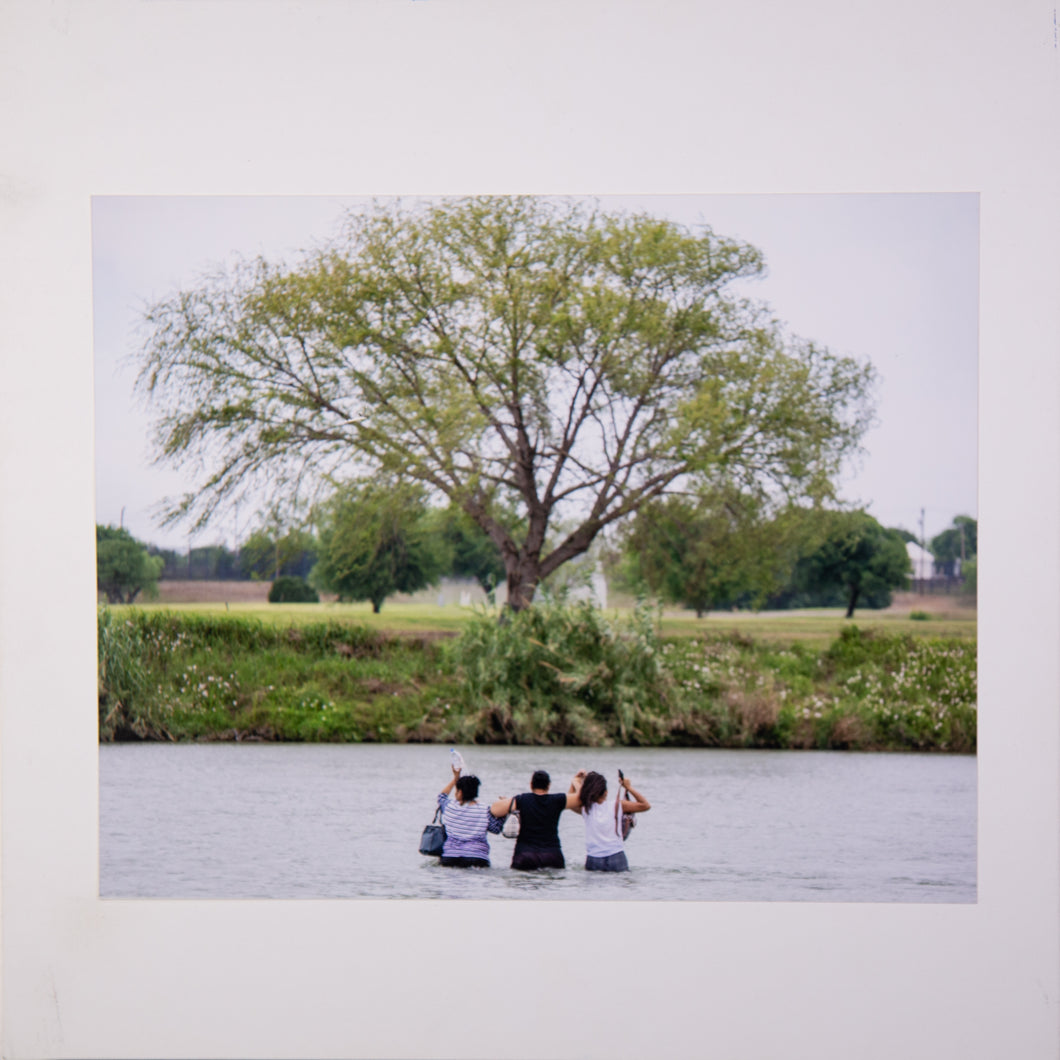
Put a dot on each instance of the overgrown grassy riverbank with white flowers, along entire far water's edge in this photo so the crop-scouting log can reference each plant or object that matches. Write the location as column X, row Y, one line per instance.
column 190, row 675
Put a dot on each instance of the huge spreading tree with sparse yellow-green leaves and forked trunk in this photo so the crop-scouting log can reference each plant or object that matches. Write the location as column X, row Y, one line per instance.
column 540, row 363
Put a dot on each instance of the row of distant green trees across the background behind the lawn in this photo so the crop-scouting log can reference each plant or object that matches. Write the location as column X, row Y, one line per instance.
column 716, row 551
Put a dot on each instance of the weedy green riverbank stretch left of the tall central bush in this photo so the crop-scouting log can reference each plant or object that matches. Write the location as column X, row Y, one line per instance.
column 182, row 676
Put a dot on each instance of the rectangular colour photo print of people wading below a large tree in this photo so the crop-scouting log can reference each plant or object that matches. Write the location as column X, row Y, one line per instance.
column 695, row 439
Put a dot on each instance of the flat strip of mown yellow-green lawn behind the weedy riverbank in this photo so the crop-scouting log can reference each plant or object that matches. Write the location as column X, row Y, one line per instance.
column 815, row 627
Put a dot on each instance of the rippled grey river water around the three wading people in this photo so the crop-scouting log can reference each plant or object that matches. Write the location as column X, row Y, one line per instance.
column 344, row 821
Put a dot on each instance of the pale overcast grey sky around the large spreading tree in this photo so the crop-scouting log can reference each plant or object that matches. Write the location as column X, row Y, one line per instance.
column 891, row 279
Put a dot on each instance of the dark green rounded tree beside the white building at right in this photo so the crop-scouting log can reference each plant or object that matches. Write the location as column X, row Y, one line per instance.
column 857, row 557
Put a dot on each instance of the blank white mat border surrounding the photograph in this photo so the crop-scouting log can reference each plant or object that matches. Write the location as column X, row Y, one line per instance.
column 451, row 97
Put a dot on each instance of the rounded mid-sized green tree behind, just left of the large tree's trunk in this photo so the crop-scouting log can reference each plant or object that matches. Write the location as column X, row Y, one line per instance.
column 378, row 539
